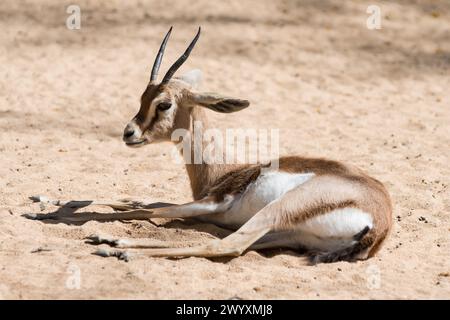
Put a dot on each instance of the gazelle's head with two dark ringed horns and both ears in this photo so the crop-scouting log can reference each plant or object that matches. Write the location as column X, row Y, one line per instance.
column 166, row 106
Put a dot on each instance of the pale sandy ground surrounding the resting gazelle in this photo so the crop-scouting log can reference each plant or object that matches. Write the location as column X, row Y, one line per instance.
column 376, row 98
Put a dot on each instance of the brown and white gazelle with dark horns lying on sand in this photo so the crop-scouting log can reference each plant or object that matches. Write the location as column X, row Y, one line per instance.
column 333, row 210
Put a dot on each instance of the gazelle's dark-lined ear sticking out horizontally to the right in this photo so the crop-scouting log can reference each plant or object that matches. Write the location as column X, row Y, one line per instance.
column 218, row 103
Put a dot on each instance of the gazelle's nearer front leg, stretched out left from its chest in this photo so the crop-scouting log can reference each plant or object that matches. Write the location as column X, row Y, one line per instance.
column 196, row 208
